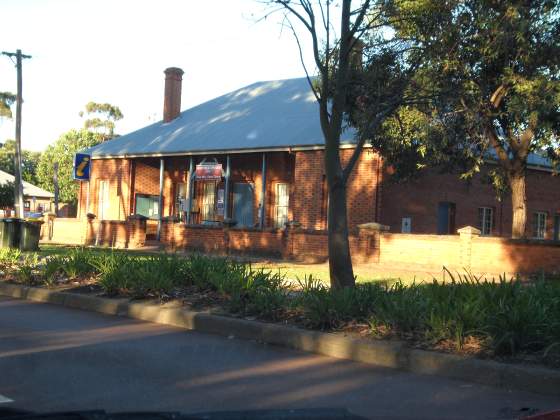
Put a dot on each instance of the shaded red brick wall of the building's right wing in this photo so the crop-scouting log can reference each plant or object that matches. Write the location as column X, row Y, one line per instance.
column 419, row 200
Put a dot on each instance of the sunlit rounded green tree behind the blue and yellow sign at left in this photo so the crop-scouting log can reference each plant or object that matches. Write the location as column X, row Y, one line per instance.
column 62, row 152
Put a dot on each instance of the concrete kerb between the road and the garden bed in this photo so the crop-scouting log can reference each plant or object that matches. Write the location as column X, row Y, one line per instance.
column 380, row 353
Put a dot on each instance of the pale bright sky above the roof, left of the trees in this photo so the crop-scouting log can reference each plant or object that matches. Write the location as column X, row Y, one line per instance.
column 115, row 51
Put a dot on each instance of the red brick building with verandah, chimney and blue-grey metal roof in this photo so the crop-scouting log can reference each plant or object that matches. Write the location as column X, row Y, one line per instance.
column 250, row 161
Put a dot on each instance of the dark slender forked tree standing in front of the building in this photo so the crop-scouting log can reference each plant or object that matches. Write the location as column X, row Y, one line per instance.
column 349, row 91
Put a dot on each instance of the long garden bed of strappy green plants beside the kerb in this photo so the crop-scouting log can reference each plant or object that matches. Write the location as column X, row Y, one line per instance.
column 506, row 320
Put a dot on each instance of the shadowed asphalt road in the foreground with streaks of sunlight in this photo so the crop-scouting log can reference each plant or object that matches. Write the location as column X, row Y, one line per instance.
column 55, row 358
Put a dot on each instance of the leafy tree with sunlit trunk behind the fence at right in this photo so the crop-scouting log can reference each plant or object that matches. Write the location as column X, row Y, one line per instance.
column 497, row 71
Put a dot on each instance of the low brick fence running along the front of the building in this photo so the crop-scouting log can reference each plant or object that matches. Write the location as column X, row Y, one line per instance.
column 467, row 251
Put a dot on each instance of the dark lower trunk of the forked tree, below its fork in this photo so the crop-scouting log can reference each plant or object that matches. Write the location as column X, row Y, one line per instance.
column 340, row 263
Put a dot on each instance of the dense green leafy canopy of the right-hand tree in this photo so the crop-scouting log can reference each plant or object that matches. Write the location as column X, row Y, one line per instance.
column 494, row 78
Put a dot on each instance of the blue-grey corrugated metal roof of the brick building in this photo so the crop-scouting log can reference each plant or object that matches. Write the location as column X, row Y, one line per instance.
column 265, row 115
